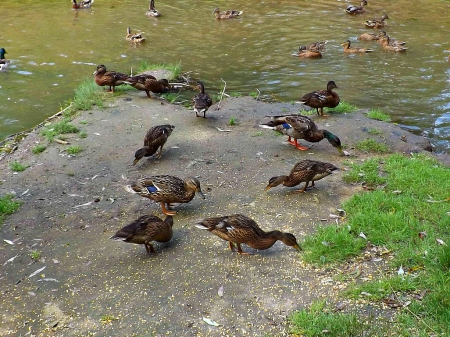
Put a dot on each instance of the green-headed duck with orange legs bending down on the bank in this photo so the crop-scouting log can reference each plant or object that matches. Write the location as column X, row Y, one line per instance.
column 301, row 127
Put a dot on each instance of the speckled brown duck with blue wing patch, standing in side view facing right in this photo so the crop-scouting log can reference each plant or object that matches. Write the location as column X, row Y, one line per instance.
column 166, row 189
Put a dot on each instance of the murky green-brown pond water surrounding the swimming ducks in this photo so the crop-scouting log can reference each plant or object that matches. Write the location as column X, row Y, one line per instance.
column 53, row 47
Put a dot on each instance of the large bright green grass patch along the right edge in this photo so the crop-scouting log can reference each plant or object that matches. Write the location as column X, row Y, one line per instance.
column 410, row 197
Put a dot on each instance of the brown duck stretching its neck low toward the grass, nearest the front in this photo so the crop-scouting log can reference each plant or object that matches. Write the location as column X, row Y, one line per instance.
column 238, row 229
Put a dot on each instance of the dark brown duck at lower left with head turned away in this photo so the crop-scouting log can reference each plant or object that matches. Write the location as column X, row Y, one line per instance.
column 146, row 229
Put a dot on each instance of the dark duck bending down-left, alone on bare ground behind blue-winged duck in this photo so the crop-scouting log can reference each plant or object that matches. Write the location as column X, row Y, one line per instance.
column 155, row 139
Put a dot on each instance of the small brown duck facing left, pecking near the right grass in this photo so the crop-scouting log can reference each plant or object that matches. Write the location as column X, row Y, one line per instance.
column 304, row 171
